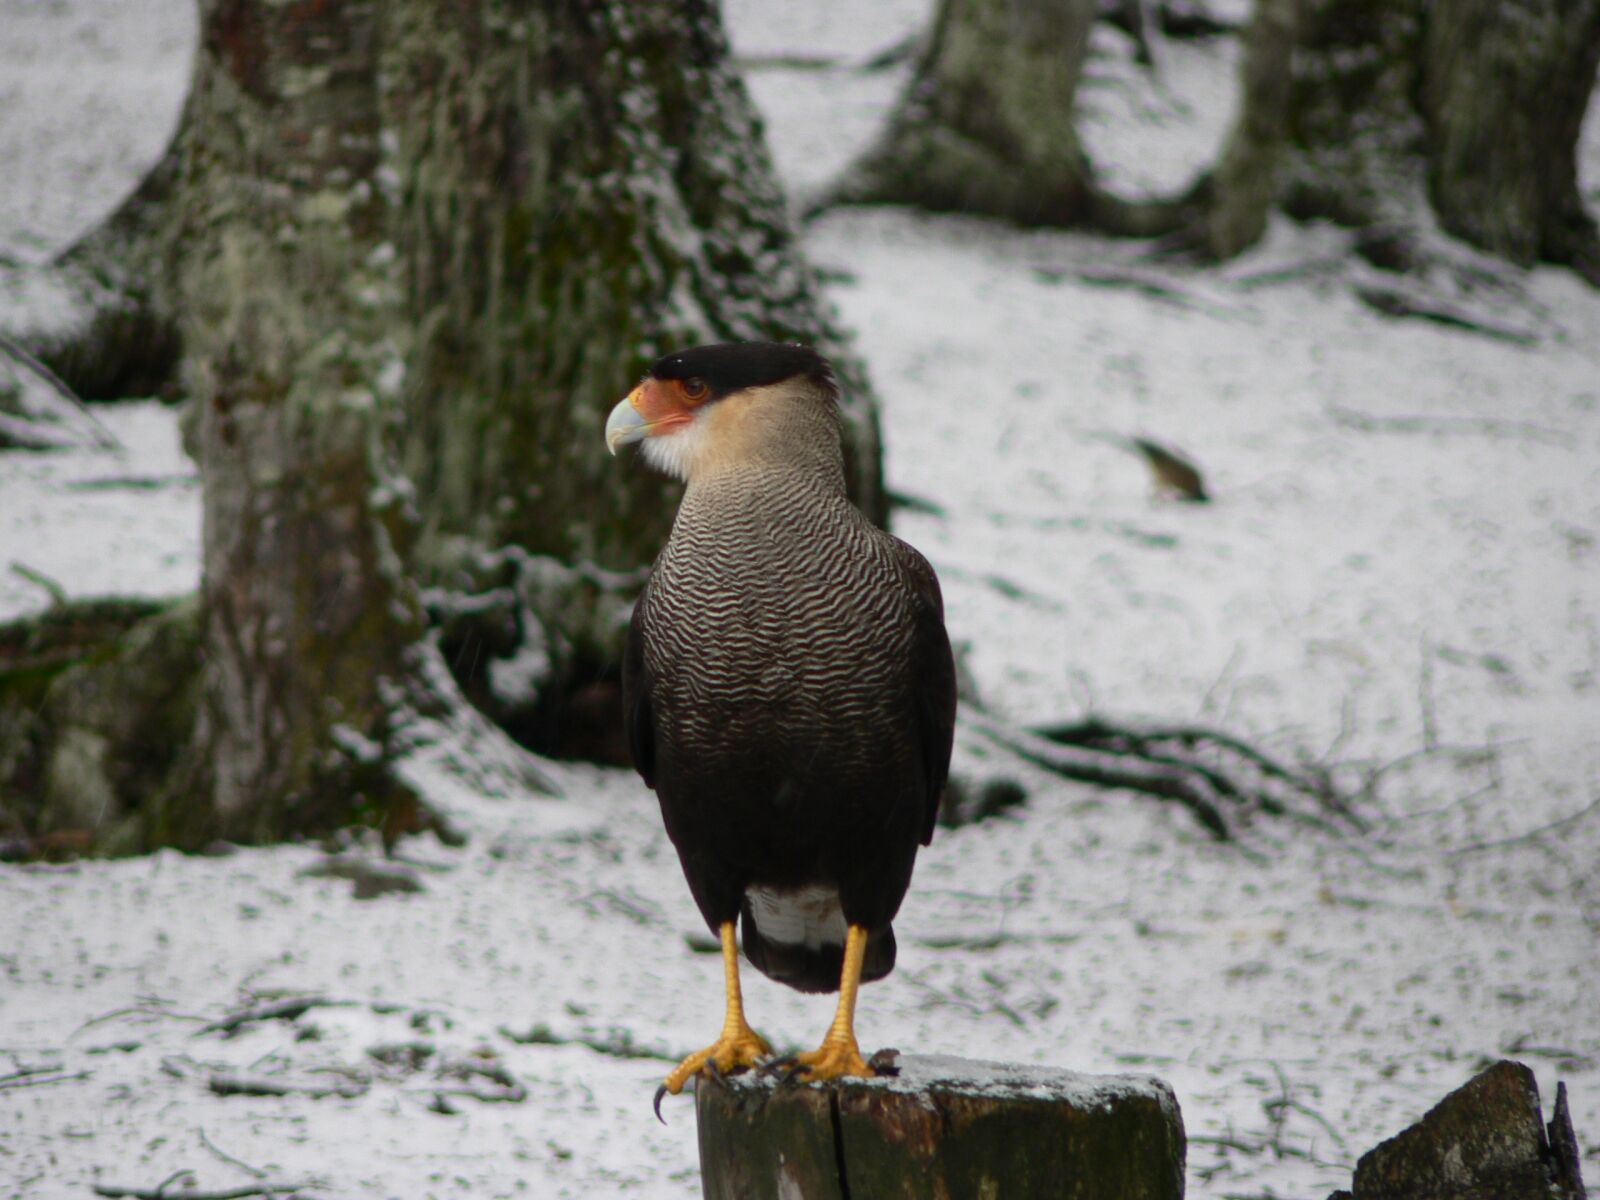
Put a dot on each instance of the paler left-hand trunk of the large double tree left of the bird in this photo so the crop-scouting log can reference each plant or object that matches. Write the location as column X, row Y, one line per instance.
column 294, row 348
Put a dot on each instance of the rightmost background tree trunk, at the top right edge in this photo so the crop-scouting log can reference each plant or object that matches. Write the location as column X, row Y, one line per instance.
column 1505, row 100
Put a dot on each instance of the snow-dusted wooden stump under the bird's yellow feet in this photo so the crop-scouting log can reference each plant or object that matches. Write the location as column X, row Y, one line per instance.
column 943, row 1129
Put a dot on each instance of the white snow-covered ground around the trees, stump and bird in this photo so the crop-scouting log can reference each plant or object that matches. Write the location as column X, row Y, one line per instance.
column 1404, row 554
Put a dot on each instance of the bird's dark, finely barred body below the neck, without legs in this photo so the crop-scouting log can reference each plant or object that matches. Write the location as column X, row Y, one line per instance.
column 790, row 697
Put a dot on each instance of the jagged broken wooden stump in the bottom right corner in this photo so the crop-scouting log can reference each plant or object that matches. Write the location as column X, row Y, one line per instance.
column 1484, row 1142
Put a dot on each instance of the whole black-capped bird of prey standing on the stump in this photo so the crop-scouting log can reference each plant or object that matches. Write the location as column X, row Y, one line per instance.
column 788, row 689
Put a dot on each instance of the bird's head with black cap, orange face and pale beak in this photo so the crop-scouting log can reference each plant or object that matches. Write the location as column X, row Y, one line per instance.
column 729, row 404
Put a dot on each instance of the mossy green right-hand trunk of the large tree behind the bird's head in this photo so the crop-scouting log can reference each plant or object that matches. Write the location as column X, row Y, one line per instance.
column 583, row 188
